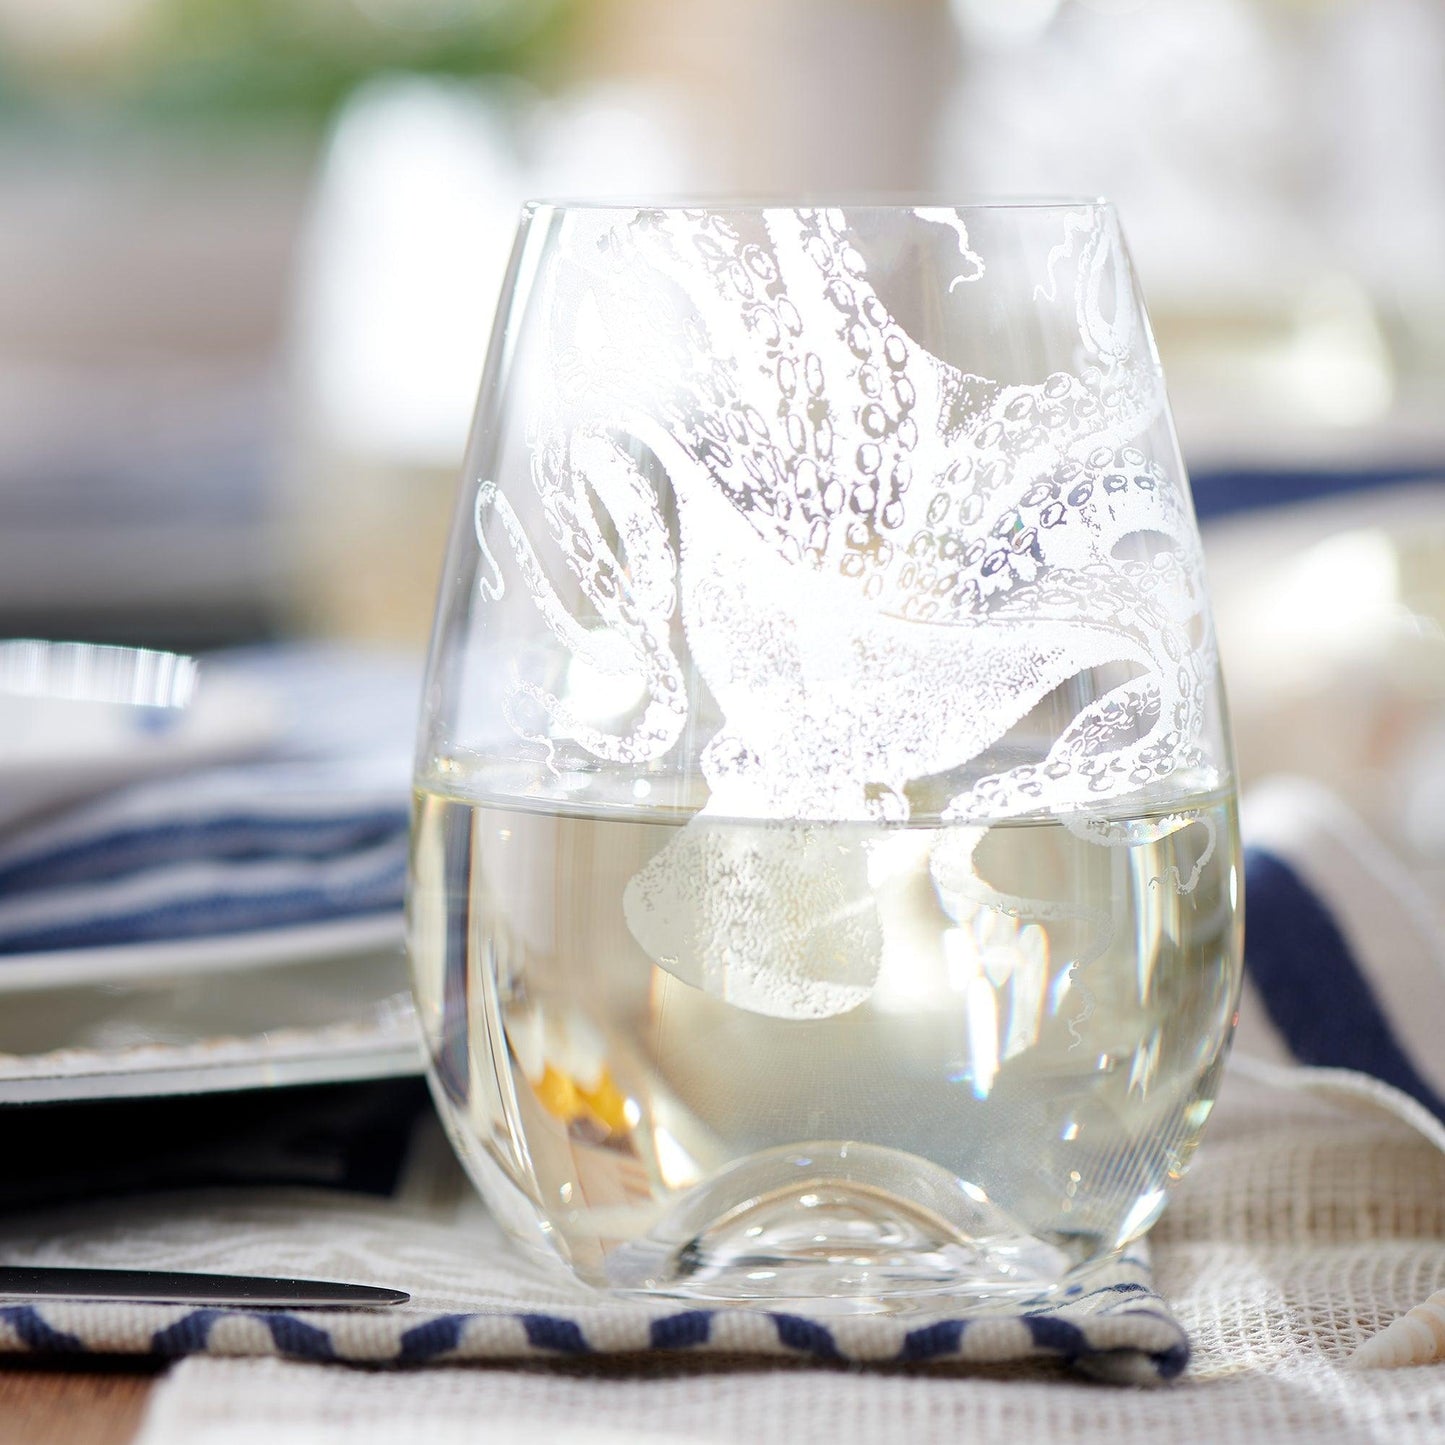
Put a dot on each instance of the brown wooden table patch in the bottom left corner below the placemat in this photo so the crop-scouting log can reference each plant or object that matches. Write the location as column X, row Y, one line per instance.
column 66, row 1407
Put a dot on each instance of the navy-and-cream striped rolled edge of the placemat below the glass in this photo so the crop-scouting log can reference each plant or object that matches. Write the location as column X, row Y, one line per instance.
column 1118, row 1332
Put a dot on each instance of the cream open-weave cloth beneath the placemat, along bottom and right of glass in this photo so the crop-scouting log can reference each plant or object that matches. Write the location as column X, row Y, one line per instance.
column 1304, row 1229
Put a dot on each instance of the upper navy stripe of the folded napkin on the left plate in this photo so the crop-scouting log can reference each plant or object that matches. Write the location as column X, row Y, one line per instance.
column 232, row 839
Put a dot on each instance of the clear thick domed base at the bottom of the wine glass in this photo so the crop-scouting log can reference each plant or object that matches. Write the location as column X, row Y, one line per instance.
column 842, row 1228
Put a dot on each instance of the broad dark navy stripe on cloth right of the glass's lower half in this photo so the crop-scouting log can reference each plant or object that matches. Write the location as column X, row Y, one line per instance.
column 1313, row 986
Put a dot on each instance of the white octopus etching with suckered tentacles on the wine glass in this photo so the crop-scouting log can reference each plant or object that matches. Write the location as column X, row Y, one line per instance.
column 884, row 563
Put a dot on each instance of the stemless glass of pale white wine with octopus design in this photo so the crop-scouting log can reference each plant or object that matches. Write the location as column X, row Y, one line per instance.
column 826, row 874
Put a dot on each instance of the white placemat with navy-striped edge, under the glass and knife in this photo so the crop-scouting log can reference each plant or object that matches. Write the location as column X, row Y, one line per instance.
column 473, row 1298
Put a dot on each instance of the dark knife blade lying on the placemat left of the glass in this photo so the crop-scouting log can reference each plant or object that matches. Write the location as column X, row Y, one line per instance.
column 180, row 1288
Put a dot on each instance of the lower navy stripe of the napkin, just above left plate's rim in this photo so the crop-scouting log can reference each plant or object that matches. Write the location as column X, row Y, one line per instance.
column 376, row 892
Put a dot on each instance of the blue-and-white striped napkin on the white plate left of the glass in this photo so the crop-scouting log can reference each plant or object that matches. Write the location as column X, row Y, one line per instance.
column 313, row 833
